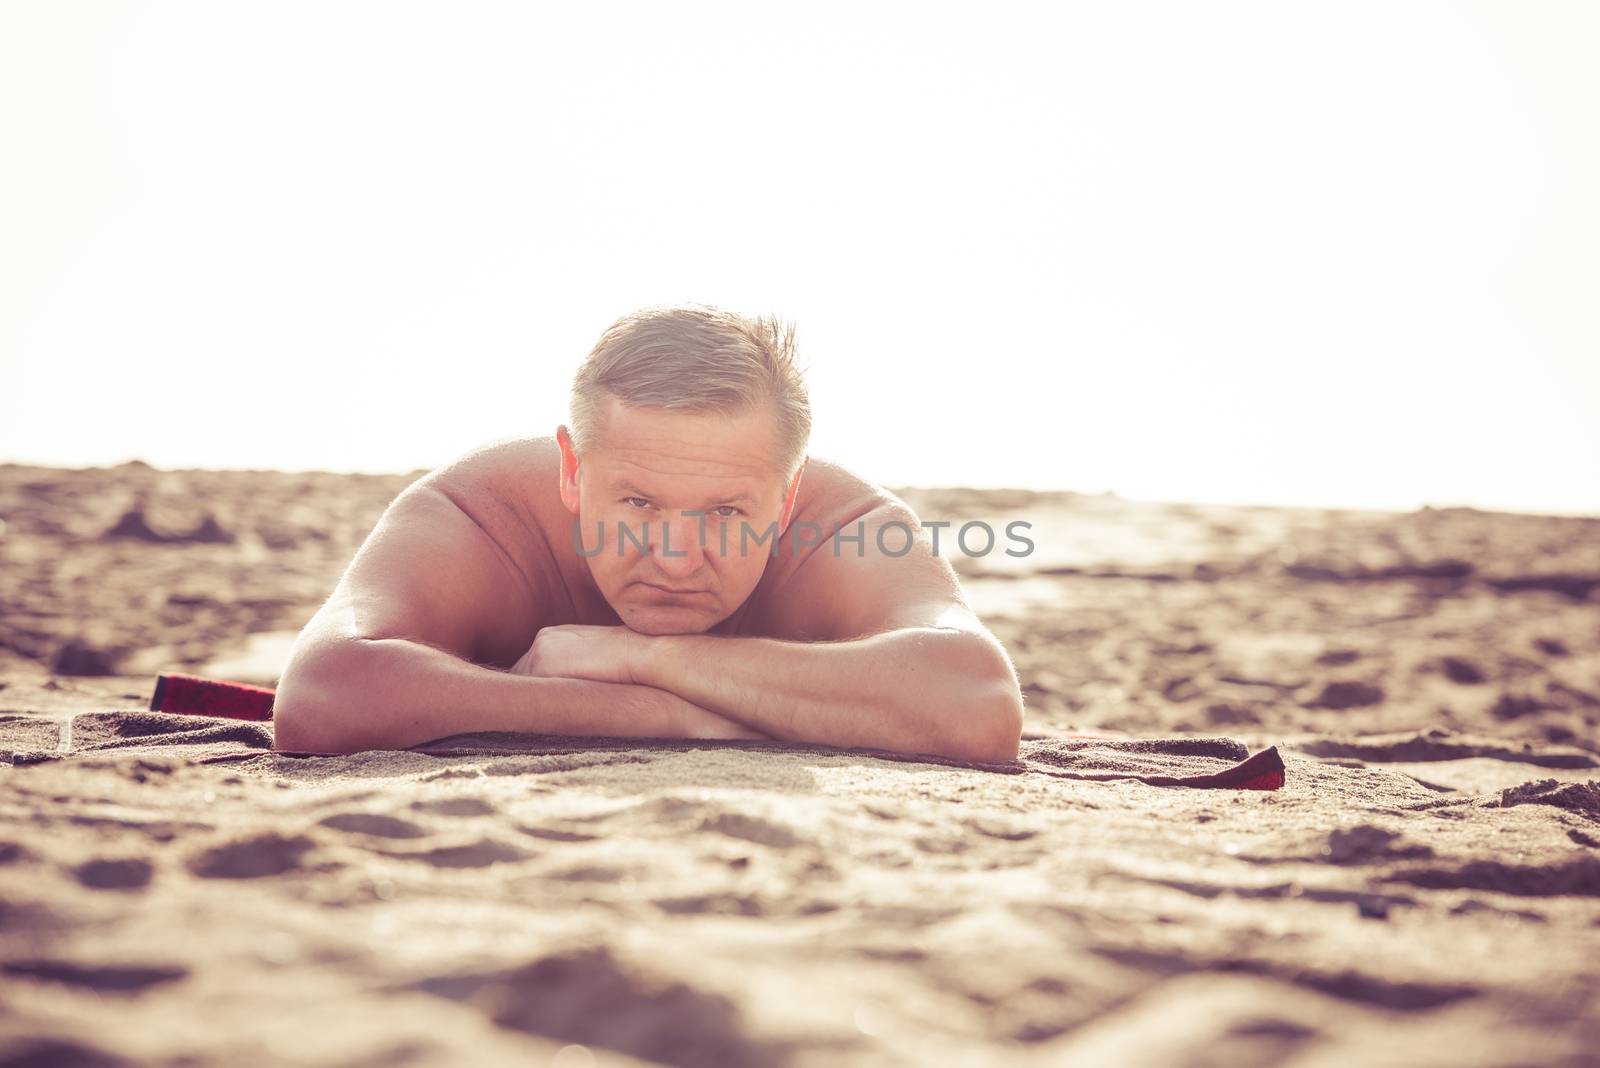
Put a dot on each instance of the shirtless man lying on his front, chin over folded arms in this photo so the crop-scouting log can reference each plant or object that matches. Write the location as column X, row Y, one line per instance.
column 476, row 605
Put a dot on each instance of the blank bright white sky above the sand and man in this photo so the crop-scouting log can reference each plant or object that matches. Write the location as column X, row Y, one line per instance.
column 1279, row 253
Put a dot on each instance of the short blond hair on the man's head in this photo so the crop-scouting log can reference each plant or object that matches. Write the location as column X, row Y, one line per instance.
column 695, row 359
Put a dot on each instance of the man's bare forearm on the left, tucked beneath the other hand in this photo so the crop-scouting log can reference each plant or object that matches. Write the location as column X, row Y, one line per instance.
column 353, row 696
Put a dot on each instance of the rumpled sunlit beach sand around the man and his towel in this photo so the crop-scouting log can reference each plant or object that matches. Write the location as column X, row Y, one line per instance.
column 1423, row 891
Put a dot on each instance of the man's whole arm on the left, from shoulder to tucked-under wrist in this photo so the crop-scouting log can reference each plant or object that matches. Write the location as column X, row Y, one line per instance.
column 386, row 663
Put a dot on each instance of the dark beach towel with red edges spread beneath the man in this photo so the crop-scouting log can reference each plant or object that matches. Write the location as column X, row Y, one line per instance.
column 1193, row 763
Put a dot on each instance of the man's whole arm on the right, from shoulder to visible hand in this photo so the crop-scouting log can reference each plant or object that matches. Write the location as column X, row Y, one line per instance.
column 905, row 664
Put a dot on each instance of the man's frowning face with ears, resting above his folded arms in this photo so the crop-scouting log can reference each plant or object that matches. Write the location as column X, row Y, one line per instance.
column 652, row 471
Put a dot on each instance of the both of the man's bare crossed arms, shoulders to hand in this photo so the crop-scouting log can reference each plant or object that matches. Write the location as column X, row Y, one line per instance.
column 388, row 664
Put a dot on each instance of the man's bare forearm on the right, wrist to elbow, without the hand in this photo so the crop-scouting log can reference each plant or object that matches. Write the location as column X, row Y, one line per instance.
column 918, row 690
